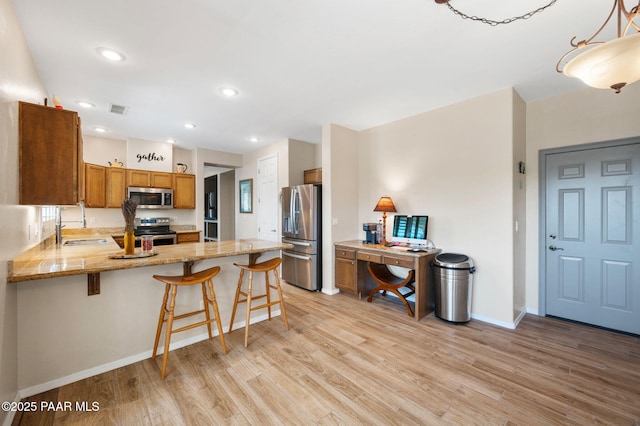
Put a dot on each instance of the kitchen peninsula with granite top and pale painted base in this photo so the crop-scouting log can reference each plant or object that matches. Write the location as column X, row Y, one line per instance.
column 66, row 335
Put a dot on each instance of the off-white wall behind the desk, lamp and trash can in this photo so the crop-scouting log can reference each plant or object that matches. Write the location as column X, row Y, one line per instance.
column 454, row 164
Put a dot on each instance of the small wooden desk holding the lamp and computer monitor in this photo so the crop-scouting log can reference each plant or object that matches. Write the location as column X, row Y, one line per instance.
column 352, row 276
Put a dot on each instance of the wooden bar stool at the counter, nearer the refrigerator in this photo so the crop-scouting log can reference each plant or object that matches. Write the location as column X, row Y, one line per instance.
column 266, row 266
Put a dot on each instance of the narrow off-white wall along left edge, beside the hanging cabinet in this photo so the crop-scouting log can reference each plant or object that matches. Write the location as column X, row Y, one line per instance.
column 19, row 80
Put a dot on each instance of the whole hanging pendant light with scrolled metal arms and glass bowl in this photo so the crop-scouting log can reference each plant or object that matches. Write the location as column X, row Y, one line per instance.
column 612, row 64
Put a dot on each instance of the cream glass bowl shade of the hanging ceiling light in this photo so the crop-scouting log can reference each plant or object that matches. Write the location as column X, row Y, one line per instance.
column 613, row 64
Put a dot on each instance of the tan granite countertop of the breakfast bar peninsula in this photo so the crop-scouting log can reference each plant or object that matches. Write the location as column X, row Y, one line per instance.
column 51, row 260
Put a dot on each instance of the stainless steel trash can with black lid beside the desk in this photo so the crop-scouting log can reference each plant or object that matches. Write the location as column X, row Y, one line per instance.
column 453, row 280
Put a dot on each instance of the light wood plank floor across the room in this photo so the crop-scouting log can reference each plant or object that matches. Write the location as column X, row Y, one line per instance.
column 346, row 361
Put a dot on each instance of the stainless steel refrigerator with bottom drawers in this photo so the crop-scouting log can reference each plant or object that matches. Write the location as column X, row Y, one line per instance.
column 302, row 227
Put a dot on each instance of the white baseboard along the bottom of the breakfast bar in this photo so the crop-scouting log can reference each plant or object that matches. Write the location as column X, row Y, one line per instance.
column 84, row 374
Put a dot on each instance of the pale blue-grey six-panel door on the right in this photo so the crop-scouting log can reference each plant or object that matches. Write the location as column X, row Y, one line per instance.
column 593, row 236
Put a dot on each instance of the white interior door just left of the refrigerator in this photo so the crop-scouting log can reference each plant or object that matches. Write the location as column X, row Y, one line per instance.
column 268, row 208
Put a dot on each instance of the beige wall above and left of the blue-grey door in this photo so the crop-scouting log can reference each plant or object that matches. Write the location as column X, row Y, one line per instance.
column 585, row 116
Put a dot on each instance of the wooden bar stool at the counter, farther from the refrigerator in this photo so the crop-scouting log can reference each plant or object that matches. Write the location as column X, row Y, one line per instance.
column 205, row 279
